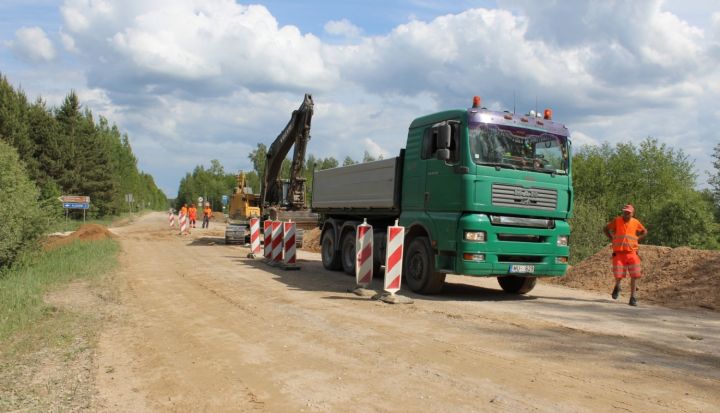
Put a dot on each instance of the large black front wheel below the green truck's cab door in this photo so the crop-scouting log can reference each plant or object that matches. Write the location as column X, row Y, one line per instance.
column 419, row 268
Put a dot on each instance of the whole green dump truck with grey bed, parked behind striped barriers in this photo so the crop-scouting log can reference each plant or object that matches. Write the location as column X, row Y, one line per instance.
column 479, row 192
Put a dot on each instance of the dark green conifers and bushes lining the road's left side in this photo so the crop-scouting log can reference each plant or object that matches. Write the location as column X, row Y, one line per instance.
column 49, row 152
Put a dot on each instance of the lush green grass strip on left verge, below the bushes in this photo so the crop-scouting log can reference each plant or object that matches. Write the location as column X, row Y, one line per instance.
column 22, row 287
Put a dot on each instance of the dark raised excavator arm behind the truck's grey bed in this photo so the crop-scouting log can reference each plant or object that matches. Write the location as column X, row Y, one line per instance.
column 297, row 133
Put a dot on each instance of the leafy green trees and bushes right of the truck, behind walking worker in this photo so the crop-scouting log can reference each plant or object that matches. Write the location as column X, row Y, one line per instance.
column 658, row 180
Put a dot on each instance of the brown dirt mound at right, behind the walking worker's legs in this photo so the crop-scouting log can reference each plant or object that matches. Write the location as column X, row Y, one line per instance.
column 672, row 277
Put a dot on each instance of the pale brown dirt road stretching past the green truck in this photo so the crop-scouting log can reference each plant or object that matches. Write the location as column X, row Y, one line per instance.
column 201, row 328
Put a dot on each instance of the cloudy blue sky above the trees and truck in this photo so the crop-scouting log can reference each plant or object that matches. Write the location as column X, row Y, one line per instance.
column 194, row 80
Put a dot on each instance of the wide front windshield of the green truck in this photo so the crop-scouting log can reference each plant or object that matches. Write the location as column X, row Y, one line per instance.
column 518, row 148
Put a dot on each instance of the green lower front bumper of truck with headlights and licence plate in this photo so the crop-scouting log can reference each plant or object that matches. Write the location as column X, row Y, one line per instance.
column 511, row 250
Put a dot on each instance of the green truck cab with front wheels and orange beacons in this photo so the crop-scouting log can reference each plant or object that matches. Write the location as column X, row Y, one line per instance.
column 488, row 194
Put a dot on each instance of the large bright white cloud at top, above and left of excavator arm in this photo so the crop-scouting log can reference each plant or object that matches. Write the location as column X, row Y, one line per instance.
column 204, row 46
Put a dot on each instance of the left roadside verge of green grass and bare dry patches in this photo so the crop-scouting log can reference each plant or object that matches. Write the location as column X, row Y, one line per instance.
column 52, row 308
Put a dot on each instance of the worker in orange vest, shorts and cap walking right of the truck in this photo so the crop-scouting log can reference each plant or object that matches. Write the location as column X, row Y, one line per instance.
column 624, row 232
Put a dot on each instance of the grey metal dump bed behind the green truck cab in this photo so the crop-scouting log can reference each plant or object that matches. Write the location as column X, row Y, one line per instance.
column 368, row 187
